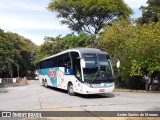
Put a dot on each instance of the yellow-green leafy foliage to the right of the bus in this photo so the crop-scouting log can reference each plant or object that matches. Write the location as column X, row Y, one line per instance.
column 137, row 47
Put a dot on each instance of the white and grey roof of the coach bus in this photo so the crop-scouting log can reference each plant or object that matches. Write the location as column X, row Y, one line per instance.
column 82, row 50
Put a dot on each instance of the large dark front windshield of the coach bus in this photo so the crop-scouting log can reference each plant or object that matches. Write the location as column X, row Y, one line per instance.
column 97, row 68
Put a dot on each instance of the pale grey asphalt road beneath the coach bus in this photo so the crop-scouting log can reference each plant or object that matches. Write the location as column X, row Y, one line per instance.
column 34, row 97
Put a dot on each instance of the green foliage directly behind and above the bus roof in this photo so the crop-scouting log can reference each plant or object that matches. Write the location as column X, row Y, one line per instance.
column 58, row 44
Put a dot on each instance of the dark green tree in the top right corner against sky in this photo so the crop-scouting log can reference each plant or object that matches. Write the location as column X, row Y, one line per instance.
column 150, row 13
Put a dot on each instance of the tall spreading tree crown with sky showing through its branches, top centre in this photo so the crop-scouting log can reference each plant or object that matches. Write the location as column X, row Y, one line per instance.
column 89, row 15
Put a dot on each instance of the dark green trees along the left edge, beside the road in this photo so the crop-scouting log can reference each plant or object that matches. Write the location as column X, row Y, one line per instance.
column 15, row 52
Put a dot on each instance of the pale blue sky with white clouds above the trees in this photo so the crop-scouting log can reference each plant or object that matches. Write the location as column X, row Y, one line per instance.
column 31, row 18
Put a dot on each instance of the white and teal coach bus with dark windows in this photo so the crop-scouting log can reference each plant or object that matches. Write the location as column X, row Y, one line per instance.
column 78, row 70
